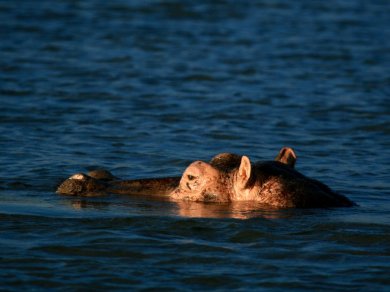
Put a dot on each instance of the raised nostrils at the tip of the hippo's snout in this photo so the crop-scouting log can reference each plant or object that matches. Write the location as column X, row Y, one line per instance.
column 81, row 184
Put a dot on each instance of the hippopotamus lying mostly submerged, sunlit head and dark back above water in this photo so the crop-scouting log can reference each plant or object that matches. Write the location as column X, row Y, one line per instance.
column 226, row 178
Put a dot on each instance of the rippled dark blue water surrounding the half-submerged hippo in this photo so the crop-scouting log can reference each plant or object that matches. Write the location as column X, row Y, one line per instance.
column 143, row 88
